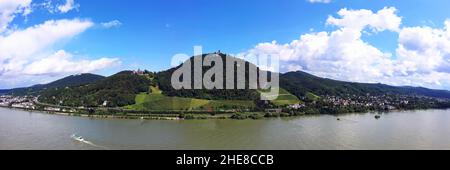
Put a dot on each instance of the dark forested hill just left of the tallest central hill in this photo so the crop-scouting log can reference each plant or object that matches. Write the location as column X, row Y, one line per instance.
column 117, row 90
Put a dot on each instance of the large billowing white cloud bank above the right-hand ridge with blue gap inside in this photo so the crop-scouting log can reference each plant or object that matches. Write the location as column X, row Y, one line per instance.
column 421, row 59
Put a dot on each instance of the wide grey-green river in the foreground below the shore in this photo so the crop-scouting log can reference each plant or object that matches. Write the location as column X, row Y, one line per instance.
column 425, row 129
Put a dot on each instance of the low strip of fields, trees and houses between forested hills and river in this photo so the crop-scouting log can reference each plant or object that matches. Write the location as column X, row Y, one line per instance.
column 191, row 108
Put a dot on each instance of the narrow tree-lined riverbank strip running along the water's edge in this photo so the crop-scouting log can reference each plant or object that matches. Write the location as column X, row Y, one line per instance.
column 127, row 113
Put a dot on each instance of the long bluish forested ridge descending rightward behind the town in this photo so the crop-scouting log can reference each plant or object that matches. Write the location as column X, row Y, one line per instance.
column 300, row 83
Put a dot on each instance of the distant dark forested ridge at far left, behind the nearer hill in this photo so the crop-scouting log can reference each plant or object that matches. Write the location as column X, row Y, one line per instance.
column 73, row 80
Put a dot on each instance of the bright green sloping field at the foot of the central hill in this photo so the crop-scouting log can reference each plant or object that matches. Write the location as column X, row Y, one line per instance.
column 159, row 102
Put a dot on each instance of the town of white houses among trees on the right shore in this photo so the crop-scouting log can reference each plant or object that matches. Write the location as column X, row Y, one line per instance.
column 329, row 104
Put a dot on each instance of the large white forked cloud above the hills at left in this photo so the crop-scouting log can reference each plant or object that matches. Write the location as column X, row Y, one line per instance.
column 30, row 52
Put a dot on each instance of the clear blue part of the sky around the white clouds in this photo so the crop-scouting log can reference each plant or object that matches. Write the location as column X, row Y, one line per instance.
column 152, row 31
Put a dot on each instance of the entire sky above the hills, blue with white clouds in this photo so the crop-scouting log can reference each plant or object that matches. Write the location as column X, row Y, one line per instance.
column 395, row 42
